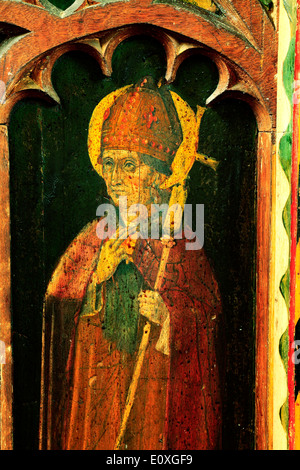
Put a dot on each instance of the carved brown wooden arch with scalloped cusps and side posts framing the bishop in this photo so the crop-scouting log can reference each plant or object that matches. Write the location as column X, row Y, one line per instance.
column 247, row 71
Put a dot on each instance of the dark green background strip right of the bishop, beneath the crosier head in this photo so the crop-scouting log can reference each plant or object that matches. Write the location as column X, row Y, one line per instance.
column 229, row 133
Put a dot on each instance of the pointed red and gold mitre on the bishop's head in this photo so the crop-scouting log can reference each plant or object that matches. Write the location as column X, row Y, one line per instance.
column 143, row 119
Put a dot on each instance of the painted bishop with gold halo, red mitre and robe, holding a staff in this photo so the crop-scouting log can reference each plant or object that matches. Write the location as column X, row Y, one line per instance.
column 131, row 337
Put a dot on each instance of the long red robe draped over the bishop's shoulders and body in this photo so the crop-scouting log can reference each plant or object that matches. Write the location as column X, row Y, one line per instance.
column 85, row 378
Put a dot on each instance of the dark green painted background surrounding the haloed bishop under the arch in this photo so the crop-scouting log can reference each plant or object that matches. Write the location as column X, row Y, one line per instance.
column 55, row 192
